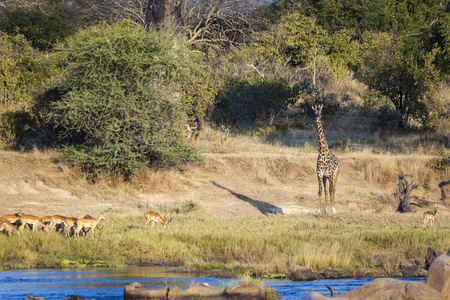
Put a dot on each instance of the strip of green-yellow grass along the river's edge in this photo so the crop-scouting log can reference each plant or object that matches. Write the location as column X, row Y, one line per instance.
column 356, row 245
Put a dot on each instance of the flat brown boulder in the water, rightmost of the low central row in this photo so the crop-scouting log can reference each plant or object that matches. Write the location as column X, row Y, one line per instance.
column 256, row 292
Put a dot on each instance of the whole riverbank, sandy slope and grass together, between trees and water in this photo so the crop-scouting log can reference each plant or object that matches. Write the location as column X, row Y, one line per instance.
column 249, row 207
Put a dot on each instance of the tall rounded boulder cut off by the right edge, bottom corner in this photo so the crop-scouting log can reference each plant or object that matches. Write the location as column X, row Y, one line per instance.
column 439, row 275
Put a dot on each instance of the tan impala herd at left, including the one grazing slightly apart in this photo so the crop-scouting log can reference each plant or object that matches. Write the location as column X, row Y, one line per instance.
column 15, row 223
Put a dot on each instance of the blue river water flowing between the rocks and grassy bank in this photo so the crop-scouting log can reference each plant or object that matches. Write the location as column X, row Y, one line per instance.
column 110, row 283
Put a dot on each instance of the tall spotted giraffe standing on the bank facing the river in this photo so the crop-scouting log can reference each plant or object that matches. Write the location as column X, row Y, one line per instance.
column 327, row 166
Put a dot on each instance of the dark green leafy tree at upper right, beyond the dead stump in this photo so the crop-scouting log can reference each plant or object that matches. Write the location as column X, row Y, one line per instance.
column 403, row 73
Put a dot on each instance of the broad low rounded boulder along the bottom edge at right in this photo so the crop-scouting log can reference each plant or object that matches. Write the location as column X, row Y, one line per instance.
column 392, row 289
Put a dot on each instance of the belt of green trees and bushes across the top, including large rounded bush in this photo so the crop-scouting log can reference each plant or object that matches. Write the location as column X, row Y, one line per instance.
column 122, row 91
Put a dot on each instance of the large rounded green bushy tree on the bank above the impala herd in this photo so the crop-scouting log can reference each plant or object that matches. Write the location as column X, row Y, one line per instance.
column 121, row 104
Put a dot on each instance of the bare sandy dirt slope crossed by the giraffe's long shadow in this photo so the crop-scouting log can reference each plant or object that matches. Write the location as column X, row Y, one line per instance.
column 224, row 185
